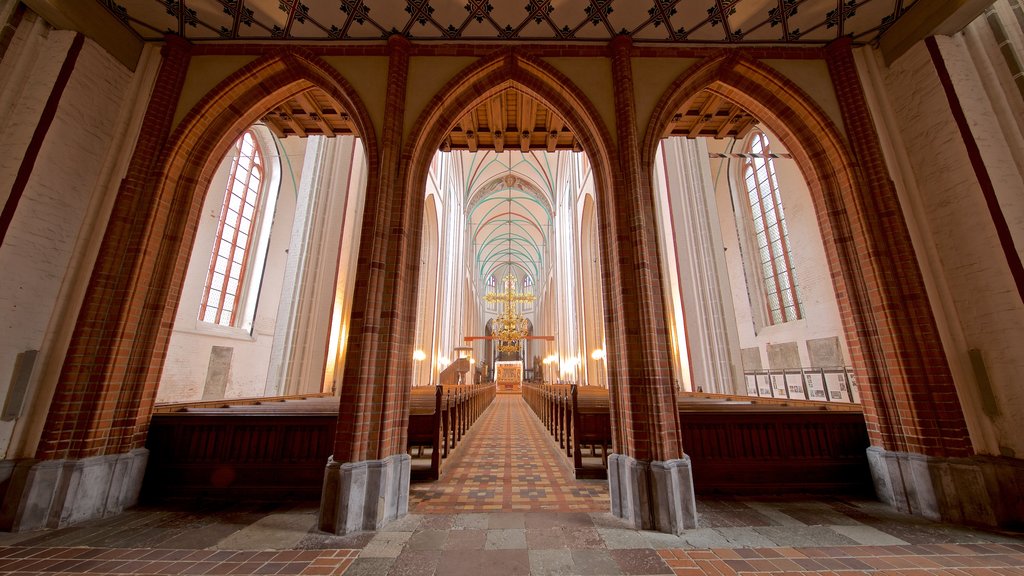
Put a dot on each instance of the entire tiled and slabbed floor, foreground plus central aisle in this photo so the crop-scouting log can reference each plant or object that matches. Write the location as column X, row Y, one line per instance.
column 833, row 538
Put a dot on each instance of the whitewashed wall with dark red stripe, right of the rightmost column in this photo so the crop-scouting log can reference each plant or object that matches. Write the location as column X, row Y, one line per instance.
column 976, row 303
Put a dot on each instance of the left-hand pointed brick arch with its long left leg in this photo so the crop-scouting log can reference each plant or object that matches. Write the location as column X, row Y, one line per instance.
column 163, row 237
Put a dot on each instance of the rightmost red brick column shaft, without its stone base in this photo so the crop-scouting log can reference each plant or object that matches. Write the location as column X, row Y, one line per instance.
column 914, row 406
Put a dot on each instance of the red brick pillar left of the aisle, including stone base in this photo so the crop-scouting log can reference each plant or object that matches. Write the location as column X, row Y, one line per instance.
column 370, row 466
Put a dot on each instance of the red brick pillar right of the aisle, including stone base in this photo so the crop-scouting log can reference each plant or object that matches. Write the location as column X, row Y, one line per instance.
column 651, row 481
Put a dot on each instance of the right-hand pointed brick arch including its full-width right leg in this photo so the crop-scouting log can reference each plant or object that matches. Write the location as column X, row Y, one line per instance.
column 906, row 384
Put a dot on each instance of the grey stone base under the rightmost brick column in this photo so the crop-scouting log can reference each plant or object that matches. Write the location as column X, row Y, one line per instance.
column 980, row 490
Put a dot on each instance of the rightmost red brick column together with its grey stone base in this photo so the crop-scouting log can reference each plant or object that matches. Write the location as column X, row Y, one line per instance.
column 921, row 455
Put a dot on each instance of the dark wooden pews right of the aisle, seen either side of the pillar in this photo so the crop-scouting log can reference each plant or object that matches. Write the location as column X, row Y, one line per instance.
column 737, row 445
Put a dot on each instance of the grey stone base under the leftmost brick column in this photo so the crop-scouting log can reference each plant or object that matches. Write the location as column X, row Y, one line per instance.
column 40, row 495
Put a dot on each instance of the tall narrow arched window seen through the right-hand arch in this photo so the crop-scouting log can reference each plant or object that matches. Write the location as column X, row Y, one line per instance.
column 778, row 276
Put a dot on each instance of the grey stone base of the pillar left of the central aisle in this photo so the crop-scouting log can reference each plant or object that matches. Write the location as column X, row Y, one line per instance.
column 364, row 496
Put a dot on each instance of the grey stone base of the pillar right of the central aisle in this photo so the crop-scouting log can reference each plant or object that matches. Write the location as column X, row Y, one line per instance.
column 653, row 496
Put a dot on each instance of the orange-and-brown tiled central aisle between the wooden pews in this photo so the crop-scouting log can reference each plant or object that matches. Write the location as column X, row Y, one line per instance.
column 508, row 463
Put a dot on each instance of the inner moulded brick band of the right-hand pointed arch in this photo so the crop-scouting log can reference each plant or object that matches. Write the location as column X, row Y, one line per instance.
column 831, row 173
